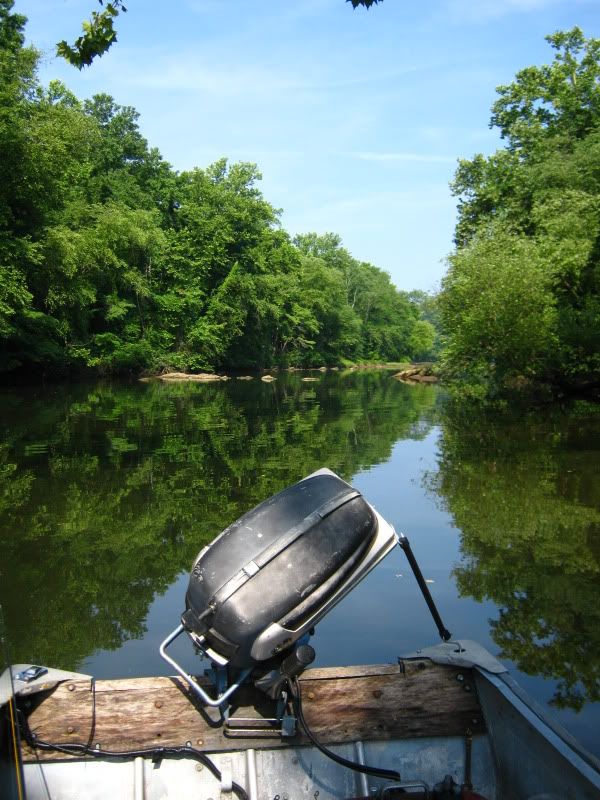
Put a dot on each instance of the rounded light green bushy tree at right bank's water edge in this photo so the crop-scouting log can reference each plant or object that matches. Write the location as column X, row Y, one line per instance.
column 500, row 315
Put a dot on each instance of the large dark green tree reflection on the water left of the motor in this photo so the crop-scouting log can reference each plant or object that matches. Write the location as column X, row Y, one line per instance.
column 108, row 492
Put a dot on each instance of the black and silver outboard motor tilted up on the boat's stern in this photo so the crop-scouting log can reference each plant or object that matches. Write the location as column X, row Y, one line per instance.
column 258, row 590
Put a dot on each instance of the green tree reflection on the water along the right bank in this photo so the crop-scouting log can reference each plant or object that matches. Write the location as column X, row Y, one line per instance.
column 524, row 491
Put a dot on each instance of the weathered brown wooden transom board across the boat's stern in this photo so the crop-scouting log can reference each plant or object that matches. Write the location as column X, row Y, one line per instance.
column 341, row 704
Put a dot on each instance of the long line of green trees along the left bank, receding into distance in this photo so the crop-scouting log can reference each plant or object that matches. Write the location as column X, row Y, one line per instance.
column 111, row 260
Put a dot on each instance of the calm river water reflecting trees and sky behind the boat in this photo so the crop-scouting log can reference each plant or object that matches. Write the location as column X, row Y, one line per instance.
column 108, row 491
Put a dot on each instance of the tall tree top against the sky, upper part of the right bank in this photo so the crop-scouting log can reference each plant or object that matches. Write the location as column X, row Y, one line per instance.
column 541, row 115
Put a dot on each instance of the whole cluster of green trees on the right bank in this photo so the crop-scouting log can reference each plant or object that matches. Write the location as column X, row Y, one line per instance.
column 521, row 298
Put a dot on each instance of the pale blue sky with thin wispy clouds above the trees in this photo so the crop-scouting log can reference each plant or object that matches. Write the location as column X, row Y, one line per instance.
column 355, row 118
